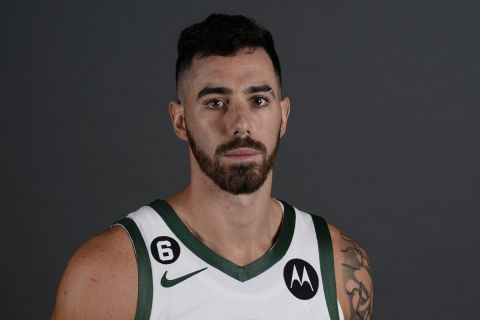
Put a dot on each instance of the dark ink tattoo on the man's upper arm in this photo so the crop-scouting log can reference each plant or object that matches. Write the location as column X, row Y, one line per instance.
column 357, row 267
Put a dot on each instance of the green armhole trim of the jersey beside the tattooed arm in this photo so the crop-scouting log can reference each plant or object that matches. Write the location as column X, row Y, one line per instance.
column 325, row 250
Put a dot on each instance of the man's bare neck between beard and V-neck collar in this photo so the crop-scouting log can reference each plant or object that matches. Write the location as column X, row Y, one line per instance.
column 241, row 228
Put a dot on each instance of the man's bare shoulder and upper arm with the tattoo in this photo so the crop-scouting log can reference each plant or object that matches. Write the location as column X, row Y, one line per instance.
column 353, row 276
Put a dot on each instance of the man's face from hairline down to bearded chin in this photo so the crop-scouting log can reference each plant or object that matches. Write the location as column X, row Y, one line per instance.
column 234, row 118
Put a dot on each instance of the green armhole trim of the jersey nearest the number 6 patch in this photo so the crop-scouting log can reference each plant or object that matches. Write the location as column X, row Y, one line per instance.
column 145, row 285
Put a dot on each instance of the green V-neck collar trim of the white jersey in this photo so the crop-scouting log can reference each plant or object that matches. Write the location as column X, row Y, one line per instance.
column 244, row 273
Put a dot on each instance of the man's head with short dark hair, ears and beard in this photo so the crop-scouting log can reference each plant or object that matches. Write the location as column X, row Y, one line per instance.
column 230, row 108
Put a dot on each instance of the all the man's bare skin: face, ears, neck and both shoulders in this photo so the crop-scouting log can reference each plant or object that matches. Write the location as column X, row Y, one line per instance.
column 100, row 281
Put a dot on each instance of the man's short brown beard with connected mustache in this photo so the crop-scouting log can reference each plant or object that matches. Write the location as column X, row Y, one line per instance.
column 242, row 178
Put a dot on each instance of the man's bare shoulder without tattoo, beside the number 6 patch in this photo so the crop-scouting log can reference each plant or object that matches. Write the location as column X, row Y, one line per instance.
column 100, row 280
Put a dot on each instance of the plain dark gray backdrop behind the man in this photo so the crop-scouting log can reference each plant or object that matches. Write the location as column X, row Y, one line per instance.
column 383, row 139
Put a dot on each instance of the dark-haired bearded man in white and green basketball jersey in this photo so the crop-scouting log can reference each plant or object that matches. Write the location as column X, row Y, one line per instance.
column 222, row 248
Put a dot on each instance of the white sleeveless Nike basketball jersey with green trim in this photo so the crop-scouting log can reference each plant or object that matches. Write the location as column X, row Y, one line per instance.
column 181, row 278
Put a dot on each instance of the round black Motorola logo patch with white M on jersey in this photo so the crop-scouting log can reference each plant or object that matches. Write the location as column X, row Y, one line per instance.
column 301, row 279
